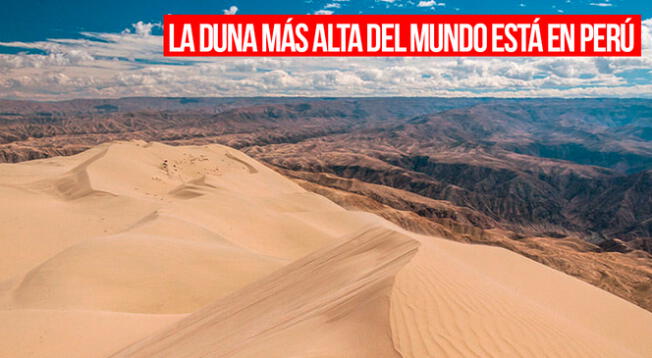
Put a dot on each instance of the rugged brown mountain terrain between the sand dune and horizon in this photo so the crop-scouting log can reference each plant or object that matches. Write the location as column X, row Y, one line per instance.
column 567, row 183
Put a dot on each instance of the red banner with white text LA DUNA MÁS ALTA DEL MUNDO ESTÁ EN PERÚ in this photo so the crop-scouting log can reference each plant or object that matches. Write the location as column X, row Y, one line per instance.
column 402, row 35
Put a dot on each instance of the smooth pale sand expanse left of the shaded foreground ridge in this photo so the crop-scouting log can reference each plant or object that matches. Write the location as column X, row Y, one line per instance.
column 131, row 236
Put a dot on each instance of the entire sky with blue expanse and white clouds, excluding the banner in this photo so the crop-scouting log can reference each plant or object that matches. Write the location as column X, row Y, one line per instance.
column 52, row 50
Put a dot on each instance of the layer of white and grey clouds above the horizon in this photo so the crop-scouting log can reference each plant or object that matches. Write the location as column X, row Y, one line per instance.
column 130, row 64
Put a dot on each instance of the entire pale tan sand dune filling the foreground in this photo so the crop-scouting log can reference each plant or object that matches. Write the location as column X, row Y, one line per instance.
column 135, row 249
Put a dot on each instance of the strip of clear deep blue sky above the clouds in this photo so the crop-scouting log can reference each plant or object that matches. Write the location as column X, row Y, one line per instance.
column 37, row 20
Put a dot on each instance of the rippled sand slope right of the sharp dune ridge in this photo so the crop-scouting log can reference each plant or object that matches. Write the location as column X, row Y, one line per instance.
column 460, row 300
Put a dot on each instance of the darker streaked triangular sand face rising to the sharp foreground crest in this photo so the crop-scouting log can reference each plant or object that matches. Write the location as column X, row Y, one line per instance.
column 332, row 303
